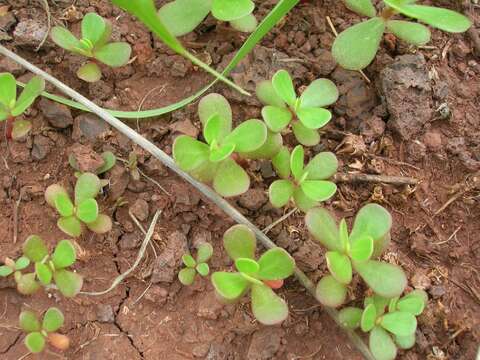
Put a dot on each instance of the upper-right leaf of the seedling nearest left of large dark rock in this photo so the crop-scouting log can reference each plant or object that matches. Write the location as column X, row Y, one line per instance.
column 320, row 93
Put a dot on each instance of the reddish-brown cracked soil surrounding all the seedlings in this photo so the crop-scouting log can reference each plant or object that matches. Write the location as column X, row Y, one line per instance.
column 418, row 118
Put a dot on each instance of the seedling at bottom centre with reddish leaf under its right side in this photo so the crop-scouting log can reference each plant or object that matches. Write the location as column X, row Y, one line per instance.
column 258, row 277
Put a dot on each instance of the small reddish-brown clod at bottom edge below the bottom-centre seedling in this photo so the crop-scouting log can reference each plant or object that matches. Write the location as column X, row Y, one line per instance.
column 265, row 343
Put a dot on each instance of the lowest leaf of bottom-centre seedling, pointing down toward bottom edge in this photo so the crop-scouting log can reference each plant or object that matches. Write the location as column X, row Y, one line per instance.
column 267, row 307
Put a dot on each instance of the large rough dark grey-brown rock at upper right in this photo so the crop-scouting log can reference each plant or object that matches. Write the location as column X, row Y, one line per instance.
column 407, row 91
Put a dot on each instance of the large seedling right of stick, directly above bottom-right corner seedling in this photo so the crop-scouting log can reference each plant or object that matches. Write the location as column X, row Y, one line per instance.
column 369, row 237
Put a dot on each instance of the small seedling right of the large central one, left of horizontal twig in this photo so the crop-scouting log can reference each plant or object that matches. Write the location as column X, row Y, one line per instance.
column 305, row 185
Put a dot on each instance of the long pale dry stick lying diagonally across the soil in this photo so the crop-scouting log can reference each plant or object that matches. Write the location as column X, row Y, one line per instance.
column 205, row 190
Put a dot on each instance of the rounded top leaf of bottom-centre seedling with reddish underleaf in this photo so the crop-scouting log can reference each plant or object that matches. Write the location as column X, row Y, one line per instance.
column 239, row 242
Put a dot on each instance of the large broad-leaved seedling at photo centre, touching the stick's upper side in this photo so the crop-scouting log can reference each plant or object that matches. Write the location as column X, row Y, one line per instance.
column 213, row 161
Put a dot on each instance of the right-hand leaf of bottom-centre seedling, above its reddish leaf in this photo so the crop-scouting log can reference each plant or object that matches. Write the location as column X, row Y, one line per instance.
column 276, row 264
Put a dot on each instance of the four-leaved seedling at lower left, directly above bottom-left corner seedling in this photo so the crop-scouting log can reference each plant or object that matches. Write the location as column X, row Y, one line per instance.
column 48, row 268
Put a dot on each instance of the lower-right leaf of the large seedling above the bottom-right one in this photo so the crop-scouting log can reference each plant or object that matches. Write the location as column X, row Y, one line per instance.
column 385, row 279
